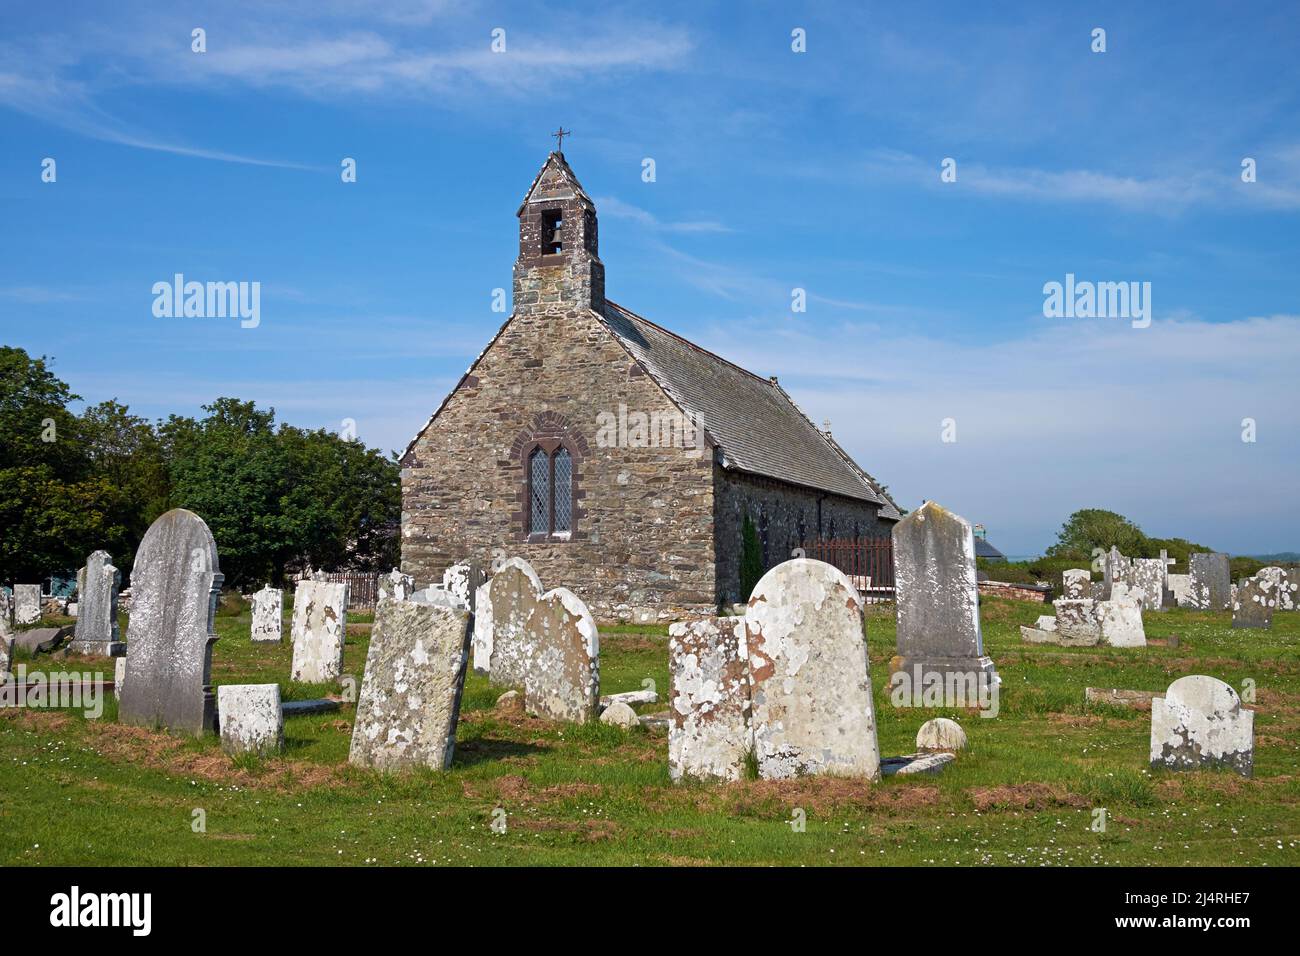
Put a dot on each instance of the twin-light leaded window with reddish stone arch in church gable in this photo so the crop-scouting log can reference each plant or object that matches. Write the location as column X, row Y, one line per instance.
column 551, row 453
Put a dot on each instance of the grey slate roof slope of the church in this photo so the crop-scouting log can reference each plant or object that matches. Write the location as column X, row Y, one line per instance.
column 753, row 421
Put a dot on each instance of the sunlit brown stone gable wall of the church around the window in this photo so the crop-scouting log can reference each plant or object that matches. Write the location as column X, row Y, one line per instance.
column 643, row 534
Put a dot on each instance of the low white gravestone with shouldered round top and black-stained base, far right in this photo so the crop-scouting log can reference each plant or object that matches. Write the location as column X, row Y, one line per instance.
column 1201, row 723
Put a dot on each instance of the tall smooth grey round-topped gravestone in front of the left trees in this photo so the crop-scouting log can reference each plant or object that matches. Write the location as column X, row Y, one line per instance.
column 176, row 583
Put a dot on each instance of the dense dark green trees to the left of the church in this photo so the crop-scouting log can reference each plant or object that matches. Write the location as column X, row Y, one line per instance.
column 274, row 498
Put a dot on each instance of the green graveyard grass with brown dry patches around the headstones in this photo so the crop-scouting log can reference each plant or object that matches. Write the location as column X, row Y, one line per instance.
column 77, row 791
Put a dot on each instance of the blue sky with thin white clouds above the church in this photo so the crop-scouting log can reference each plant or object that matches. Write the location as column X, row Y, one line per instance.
column 774, row 171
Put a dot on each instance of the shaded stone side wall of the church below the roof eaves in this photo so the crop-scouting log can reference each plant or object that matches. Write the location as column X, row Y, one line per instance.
column 786, row 517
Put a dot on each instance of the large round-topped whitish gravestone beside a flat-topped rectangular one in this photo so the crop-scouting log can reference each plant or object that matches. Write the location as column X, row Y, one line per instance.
column 811, row 685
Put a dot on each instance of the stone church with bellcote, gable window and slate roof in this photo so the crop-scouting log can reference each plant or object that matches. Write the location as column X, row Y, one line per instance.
column 614, row 456
